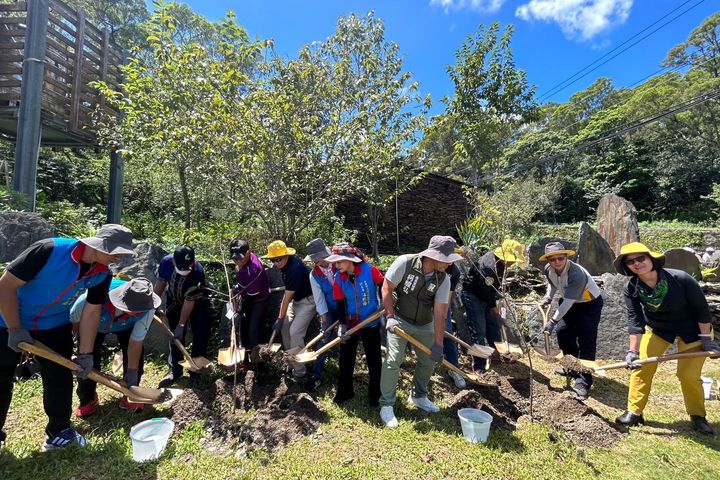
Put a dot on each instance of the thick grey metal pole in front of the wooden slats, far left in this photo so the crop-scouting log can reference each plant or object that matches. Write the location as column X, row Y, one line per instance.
column 27, row 145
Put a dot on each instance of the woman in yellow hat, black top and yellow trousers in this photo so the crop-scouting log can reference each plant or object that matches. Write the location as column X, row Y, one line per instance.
column 663, row 304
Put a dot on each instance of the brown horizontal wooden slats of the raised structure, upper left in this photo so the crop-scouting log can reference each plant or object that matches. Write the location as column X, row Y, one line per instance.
column 77, row 54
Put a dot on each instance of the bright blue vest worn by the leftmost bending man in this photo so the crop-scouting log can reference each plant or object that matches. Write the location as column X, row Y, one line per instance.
column 45, row 301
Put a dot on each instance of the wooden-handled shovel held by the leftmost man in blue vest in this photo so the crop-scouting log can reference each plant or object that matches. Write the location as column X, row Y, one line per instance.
column 134, row 394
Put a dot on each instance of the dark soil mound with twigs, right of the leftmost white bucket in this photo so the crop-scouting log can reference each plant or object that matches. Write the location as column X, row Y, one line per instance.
column 270, row 411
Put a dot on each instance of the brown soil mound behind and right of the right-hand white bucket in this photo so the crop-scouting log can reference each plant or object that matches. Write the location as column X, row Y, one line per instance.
column 510, row 400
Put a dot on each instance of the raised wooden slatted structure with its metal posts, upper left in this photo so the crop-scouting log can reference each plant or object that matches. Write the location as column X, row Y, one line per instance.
column 49, row 54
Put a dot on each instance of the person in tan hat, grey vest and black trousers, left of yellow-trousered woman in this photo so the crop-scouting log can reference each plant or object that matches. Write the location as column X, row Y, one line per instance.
column 577, row 316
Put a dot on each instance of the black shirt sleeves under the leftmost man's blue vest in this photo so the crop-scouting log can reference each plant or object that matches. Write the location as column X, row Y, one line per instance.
column 35, row 257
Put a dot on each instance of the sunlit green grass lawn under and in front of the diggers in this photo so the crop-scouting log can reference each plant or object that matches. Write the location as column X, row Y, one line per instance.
column 352, row 444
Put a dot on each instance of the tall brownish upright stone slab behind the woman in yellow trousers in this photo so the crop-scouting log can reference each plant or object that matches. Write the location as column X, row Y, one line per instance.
column 617, row 221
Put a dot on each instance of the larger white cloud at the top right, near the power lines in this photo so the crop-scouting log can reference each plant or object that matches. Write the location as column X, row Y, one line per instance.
column 578, row 18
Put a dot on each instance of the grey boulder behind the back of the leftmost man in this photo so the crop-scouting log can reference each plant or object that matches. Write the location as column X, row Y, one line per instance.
column 19, row 229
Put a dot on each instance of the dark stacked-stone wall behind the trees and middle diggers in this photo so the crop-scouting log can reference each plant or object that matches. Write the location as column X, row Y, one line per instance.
column 435, row 206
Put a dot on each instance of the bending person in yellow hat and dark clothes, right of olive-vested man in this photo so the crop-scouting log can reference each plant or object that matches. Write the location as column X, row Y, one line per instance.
column 481, row 291
